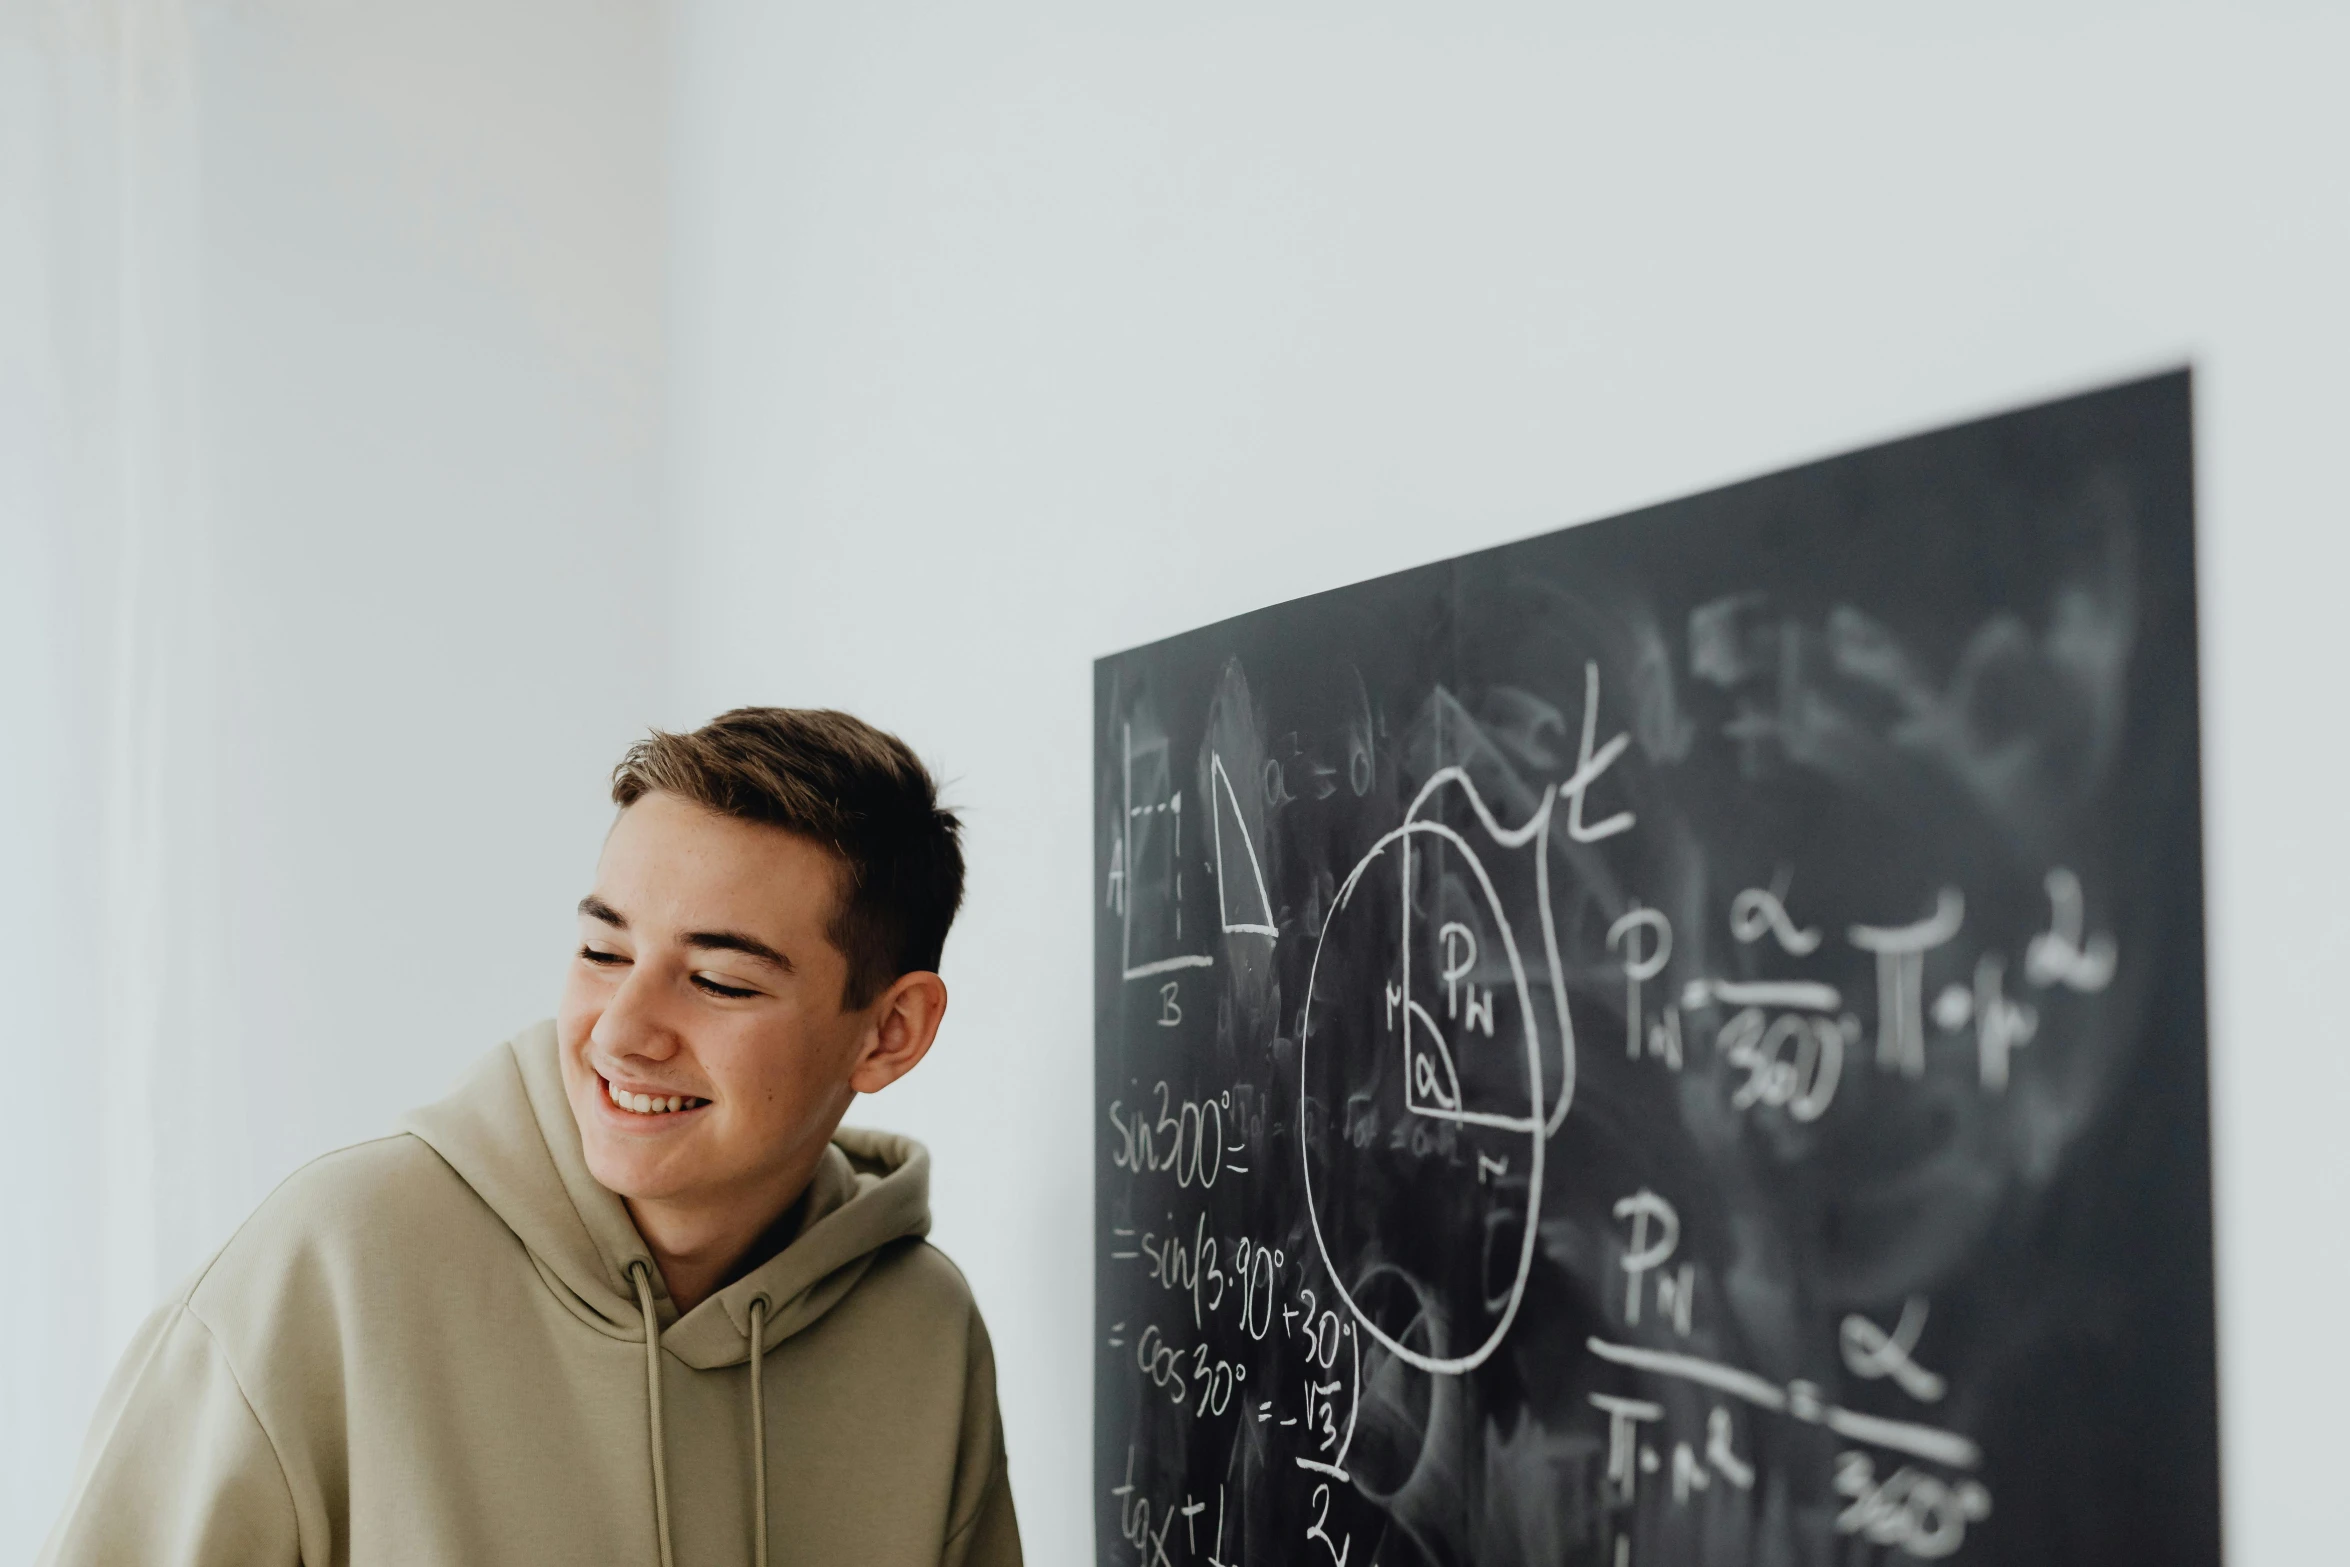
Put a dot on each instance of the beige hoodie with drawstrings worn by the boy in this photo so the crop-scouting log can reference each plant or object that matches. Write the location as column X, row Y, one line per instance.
column 431, row 1350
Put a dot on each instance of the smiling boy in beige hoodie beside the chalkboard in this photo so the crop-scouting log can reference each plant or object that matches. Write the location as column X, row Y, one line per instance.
column 633, row 1293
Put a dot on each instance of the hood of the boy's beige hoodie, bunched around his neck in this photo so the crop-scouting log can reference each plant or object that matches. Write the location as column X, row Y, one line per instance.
column 509, row 1134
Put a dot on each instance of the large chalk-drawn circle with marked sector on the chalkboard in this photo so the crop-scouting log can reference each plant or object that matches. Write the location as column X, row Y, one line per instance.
column 1378, row 1040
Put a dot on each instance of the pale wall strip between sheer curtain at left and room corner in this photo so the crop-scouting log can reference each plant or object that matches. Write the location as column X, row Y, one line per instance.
column 436, row 375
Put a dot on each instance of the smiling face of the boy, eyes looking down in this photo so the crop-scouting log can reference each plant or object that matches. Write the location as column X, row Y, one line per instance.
column 704, row 978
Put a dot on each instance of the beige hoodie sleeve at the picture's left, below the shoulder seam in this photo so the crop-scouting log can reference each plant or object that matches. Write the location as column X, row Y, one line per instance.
column 177, row 1470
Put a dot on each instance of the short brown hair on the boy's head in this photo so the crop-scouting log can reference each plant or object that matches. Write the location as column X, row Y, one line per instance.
column 847, row 786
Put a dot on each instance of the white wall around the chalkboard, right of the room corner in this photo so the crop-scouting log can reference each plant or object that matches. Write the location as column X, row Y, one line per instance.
column 1005, row 337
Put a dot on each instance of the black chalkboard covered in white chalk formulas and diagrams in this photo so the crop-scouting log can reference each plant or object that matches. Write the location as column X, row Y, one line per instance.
column 1679, row 1040
